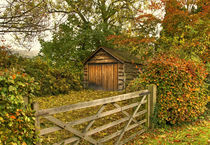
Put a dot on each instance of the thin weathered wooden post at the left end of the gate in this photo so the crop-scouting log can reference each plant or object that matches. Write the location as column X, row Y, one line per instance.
column 37, row 119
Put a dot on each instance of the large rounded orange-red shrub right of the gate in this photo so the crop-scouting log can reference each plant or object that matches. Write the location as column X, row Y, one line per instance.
column 181, row 88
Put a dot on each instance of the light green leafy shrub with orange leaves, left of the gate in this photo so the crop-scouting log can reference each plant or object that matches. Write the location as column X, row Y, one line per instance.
column 16, row 119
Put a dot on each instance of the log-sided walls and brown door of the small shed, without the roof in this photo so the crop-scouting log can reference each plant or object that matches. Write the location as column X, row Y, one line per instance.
column 114, row 74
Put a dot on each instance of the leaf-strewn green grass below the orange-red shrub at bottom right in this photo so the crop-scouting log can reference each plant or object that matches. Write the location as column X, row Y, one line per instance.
column 196, row 133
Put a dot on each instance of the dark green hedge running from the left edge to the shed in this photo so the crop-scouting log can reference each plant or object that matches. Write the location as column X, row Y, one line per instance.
column 51, row 80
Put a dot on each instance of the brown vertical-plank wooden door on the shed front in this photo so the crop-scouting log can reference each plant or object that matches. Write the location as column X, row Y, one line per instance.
column 103, row 76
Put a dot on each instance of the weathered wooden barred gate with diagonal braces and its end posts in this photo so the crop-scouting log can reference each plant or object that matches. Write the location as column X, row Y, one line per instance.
column 141, row 106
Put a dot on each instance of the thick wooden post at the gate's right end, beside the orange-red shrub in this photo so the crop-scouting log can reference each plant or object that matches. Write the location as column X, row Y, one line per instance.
column 151, row 102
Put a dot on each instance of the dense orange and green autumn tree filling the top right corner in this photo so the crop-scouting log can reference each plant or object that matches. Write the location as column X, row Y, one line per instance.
column 186, row 29
